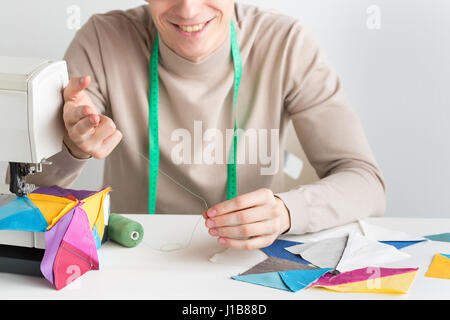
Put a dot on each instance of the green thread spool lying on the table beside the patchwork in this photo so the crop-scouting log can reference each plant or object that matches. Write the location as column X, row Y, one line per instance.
column 124, row 231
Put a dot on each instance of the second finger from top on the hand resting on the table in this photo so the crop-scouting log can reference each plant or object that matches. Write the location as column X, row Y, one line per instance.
column 245, row 216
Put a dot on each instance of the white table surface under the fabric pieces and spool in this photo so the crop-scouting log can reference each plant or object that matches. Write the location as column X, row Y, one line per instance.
column 146, row 273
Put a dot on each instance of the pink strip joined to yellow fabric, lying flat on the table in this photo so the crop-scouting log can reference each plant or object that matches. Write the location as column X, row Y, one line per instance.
column 359, row 275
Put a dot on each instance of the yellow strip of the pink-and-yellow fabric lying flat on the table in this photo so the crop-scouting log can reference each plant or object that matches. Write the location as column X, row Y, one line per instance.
column 392, row 284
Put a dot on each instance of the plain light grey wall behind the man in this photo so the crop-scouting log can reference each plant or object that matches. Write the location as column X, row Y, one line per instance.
column 397, row 78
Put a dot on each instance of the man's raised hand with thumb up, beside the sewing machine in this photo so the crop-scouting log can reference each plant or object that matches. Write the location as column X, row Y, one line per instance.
column 88, row 133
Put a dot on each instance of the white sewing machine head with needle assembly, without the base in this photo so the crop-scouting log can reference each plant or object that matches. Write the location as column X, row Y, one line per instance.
column 31, row 125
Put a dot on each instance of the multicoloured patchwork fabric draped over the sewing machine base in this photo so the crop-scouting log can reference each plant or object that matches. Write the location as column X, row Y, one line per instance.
column 72, row 223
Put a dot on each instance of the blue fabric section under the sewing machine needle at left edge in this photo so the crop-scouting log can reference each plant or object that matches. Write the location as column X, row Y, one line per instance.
column 22, row 215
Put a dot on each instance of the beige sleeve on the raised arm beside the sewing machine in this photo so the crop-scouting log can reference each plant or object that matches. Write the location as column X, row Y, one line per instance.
column 83, row 57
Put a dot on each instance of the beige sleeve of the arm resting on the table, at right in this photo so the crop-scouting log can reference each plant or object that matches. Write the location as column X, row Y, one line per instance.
column 351, row 185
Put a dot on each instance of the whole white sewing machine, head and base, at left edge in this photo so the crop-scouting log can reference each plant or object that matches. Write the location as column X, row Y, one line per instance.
column 31, row 131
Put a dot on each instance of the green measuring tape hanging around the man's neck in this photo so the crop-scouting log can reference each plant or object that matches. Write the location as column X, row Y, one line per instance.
column 154, row 124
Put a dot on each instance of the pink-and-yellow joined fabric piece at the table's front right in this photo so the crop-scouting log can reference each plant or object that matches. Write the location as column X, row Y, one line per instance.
column 370, row 279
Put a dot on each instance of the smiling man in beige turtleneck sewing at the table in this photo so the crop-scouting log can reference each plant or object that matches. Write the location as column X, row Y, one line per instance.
column 277, row 73
